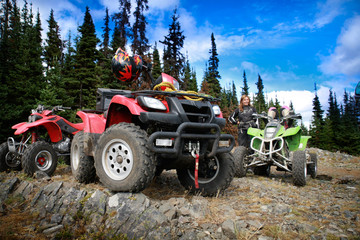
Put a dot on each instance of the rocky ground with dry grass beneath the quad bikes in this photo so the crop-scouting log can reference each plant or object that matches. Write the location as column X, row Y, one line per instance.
column 253, row 207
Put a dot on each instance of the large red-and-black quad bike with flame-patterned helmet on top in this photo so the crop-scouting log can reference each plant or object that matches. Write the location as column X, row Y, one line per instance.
column 149, row 131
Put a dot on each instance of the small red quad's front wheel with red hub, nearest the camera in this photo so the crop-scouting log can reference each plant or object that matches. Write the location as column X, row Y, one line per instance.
column 39, row 156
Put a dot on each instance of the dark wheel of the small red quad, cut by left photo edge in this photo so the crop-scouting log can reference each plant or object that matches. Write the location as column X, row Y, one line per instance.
column 8, row 160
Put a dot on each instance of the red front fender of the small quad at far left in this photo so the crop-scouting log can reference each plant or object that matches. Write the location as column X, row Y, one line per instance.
column 52, row 128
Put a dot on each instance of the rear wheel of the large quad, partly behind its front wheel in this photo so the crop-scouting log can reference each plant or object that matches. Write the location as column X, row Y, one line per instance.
column 82, row 166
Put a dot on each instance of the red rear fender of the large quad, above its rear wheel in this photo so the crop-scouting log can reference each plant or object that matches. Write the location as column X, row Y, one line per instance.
column 93, row 123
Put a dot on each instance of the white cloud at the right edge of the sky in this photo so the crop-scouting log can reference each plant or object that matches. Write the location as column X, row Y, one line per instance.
column 346, row 57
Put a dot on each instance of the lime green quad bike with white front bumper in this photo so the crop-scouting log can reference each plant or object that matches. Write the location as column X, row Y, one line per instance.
column 277, row 145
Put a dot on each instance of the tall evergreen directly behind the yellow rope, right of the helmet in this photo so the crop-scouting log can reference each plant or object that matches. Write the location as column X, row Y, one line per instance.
column 173, row 59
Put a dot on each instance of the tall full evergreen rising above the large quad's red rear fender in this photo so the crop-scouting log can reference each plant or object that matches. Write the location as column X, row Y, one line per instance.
column 86, row 56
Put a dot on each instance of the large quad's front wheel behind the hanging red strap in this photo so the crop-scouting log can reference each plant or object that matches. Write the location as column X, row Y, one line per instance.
column 214, row 176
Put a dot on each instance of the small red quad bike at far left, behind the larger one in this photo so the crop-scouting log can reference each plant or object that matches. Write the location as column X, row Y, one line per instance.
column 43, row 138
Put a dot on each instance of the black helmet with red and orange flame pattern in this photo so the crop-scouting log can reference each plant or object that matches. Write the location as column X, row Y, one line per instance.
column 124, row 67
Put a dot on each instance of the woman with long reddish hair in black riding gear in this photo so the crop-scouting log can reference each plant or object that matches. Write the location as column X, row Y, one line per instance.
column 242, row 116
